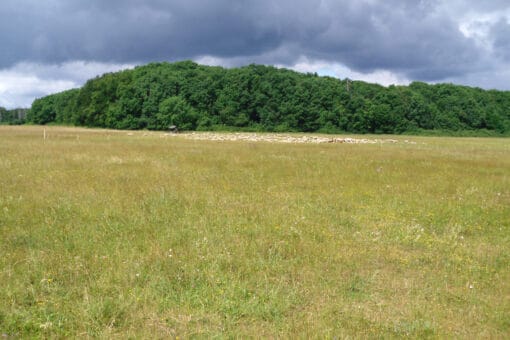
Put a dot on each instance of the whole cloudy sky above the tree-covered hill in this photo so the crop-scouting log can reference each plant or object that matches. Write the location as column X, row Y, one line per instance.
column 53, row 45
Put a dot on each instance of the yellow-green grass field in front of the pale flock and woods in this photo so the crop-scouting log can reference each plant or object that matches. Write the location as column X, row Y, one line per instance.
column 116, row 235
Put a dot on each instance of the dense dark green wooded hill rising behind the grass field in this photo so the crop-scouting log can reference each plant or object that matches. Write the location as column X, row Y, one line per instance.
column 264, row 98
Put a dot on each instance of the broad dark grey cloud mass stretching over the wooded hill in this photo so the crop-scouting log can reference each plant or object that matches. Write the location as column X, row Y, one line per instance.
column 404, row 36
